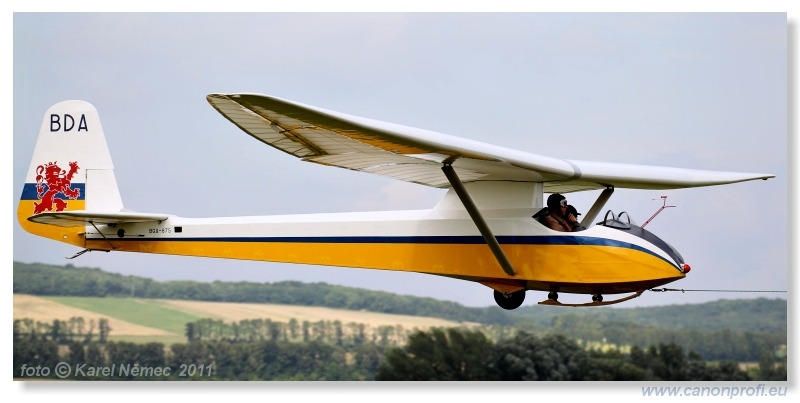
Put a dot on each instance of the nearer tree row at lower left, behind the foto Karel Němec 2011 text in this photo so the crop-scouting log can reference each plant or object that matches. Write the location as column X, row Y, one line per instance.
column 198, row 360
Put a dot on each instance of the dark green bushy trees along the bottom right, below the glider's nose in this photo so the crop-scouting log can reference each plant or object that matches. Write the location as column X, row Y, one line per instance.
column 463, row 355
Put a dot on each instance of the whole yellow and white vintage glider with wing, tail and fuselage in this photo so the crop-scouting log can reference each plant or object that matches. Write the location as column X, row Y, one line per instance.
column 482, row 230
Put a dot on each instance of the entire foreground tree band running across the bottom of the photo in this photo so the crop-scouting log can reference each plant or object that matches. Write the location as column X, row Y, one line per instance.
column 453, row 354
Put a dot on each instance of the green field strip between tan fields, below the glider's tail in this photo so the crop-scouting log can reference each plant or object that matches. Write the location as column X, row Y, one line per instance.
column 138, row 311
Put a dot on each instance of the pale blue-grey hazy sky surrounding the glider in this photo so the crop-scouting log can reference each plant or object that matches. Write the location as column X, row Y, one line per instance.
column 704, row 91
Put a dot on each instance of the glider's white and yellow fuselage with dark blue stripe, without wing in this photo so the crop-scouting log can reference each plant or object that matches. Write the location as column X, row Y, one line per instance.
column 442, row 241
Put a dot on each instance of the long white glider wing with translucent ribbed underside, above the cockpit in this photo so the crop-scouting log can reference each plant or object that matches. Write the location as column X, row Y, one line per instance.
column 416, row 155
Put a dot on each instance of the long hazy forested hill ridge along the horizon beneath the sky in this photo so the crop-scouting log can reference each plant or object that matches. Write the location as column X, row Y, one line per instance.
column 746, row 315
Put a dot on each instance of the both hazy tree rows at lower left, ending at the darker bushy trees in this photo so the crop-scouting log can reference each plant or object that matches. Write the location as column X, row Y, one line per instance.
column 212, row 352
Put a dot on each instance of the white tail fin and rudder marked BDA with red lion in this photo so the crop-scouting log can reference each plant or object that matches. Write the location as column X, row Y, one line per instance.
column 71, row 169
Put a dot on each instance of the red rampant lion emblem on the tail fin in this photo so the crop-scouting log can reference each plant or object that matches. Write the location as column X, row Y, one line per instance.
column 57, row 181
